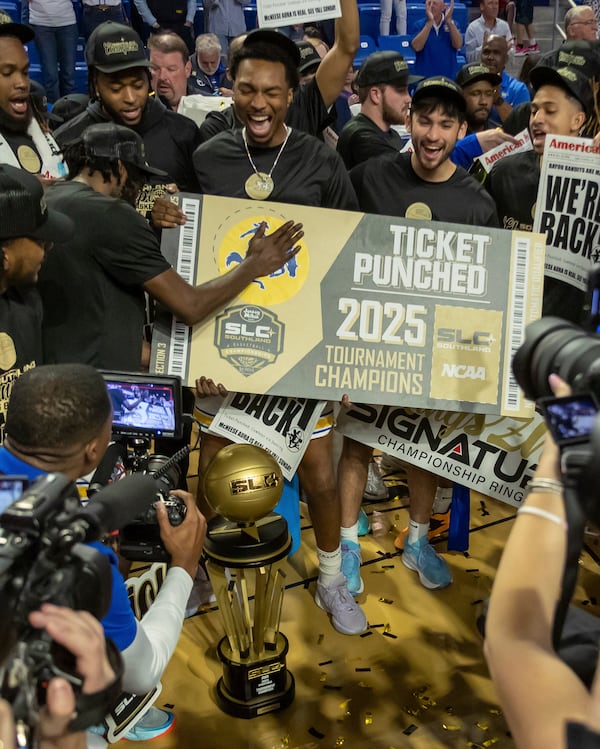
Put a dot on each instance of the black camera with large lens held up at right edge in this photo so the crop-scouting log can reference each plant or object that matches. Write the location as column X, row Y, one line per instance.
column 556, row 346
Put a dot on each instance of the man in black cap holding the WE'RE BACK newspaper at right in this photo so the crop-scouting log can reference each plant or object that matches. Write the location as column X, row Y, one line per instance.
column 563, row 104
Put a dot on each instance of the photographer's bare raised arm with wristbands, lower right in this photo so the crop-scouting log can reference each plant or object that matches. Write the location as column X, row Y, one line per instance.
column 538, row 692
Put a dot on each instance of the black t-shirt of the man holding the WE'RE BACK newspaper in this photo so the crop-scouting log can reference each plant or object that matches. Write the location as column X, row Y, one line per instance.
column 513, row 184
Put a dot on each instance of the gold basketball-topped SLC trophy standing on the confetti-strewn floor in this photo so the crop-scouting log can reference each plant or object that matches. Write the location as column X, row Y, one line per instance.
column 243, row 483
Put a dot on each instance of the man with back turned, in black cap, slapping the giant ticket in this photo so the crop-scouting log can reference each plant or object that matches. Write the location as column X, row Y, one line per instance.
column 114, row 256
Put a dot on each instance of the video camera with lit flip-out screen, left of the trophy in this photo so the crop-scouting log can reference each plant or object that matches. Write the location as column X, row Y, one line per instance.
column 145, row 407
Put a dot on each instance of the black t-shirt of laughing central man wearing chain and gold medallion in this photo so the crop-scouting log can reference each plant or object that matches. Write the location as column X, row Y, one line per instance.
column 308, row 172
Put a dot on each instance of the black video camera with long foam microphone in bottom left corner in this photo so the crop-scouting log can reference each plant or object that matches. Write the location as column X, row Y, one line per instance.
column 45, row 557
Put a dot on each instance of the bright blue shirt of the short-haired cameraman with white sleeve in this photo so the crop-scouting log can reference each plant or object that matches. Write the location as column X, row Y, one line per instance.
column 119, row 623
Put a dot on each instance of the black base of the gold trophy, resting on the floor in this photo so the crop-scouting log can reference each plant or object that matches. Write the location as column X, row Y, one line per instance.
column 249, row 688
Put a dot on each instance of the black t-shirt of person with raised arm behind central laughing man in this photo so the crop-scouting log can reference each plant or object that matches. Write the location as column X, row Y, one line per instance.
column 307, row 112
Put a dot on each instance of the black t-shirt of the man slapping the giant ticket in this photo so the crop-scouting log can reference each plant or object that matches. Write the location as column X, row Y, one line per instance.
column 92, row 285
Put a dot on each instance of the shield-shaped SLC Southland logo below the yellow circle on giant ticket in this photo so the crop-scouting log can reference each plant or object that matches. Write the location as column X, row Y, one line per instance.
column 249, row 338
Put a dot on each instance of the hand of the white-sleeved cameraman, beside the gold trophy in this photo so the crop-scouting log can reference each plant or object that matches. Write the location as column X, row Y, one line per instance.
column 183, row 542
